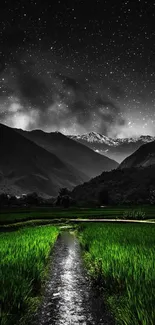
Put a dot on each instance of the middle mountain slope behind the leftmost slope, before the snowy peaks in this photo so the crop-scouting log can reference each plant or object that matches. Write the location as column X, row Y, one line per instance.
column 71, row 152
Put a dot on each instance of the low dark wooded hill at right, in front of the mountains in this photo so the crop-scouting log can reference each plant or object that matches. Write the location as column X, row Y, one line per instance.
column 121, row 186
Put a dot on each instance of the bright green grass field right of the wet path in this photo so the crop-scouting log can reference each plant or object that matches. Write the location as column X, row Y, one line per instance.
column 120, row 259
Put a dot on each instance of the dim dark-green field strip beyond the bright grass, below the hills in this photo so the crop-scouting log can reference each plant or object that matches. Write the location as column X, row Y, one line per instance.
column 20, row 214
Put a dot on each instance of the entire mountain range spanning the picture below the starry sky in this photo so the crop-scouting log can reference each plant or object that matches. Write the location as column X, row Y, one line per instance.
column 45, row 162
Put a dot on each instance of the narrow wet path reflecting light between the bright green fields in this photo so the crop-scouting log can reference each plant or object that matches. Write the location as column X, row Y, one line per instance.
column 69, row 298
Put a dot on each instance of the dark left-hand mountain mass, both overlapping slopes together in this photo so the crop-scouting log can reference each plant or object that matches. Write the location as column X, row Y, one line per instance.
column 45, row 162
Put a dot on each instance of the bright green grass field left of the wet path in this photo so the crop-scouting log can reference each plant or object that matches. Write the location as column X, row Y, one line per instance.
column 24, row 255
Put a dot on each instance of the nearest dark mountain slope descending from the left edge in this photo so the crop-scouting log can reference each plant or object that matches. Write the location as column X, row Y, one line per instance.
column 24, row 166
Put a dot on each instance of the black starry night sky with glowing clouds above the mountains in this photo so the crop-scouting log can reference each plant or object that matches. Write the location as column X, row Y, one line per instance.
column 78, row 66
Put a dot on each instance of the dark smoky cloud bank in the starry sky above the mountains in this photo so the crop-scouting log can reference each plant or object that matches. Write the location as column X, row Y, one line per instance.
column 57, row 101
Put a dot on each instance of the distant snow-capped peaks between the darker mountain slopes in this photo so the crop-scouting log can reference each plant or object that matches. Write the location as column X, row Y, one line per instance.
column 117, row 149
